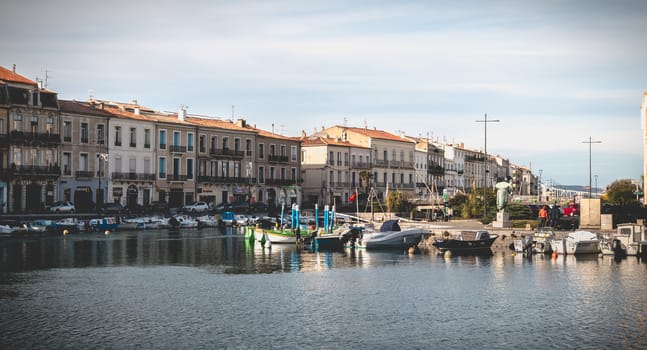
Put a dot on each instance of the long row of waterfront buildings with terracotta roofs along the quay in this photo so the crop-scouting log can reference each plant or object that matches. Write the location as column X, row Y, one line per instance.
column 99, row 151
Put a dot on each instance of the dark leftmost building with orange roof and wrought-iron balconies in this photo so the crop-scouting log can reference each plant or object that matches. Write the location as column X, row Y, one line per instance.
column 29, row 143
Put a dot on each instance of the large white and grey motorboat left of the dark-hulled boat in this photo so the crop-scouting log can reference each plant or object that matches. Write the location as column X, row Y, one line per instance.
column 390, row 236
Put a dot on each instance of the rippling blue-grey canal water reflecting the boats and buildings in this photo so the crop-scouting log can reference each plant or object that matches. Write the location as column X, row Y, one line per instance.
column 210, row 289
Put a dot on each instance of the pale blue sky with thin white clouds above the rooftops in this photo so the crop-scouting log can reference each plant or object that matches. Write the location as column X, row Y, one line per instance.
column 553, row 73
